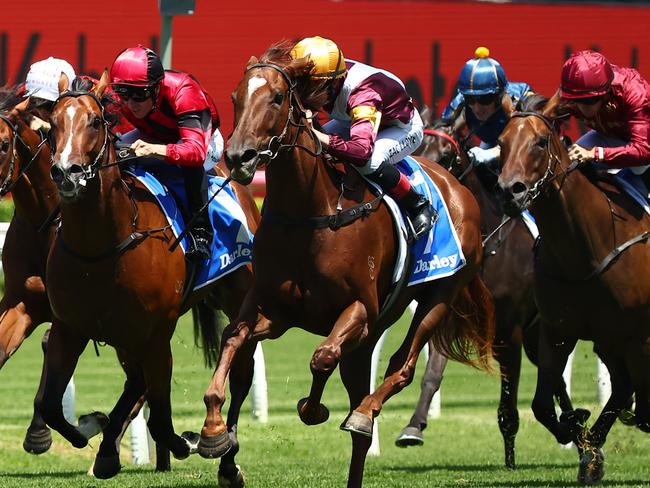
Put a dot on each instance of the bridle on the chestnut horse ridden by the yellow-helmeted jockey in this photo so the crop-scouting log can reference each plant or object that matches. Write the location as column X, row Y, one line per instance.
column 276, row 144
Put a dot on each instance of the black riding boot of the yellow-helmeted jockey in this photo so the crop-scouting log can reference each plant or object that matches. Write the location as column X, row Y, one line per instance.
column 420, row 212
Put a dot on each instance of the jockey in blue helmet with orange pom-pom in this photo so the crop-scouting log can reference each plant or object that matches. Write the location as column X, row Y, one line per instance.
column 482, row 86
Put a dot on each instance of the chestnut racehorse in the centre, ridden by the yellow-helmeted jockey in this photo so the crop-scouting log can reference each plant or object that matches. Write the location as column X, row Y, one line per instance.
column 316, row 266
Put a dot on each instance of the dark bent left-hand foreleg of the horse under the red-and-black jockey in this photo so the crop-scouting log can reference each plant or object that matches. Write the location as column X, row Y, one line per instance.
column 64, row 347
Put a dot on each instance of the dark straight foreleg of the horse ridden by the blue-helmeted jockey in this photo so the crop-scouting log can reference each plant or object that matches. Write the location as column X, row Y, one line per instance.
column 508, row 353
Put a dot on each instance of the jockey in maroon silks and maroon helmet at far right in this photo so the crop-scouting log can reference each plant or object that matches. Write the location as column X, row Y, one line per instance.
column 615, row 103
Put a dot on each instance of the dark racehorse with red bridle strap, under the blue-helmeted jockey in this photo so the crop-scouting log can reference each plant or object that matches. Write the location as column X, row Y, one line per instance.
column 507, row 270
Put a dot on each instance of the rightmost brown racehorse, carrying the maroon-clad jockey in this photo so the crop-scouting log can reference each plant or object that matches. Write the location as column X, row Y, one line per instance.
column 590, row 277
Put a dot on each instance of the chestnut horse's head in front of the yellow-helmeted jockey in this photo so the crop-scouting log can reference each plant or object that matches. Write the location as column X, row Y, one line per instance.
column 265, row 117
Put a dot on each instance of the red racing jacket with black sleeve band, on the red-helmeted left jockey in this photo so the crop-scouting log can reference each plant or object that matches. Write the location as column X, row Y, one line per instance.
column 184, row 117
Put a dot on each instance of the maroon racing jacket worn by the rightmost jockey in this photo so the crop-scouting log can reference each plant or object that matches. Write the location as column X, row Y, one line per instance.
column 624, row 115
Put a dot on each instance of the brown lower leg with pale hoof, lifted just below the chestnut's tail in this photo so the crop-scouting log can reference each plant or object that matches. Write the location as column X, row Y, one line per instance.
column 411, row 435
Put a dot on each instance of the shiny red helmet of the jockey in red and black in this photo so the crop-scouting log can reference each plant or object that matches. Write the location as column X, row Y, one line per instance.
column 137, row 66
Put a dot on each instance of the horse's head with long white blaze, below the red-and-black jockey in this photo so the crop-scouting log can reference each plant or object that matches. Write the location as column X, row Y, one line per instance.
column 79, row 137
